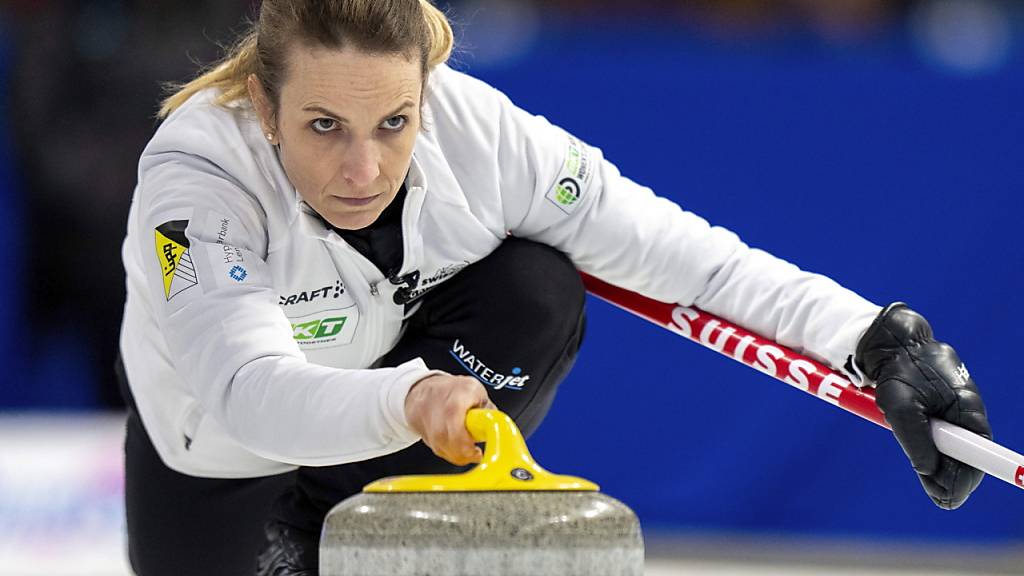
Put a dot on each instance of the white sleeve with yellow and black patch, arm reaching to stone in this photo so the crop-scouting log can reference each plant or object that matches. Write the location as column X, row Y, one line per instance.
column 204, row 242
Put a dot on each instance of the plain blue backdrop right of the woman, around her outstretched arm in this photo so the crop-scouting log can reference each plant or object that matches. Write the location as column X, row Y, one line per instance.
column 899, row 180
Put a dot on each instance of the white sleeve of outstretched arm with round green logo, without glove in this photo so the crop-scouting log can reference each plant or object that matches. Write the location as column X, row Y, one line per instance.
column 560, row 191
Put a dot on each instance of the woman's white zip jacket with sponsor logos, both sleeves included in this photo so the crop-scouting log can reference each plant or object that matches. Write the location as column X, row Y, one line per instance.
column 250, row 327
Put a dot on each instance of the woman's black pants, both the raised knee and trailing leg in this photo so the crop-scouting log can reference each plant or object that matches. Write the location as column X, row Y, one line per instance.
column 518, row 313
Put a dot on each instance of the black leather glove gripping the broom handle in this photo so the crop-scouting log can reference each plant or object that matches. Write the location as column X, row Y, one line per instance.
column 919, row 378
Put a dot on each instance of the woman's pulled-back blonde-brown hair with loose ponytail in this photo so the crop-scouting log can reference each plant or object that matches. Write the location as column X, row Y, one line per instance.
column 406, row 27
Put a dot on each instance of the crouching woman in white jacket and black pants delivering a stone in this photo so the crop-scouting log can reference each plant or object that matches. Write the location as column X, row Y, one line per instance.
column 338, row 246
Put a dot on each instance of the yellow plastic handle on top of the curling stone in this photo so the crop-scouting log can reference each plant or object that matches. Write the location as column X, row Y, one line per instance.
column 507, row 465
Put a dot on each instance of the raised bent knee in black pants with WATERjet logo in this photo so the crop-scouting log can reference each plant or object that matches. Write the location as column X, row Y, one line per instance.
column 515, row 321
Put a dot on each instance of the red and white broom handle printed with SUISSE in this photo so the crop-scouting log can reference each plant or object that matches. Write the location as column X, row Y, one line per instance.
column 804, row 374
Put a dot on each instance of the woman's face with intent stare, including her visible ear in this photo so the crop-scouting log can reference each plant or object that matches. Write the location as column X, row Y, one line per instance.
column 347, row 127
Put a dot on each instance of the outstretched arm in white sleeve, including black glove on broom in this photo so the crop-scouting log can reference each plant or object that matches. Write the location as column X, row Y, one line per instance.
column 560, row 191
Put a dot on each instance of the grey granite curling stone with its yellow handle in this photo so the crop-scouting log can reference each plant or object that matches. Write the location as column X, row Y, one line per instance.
column 507, row 517
